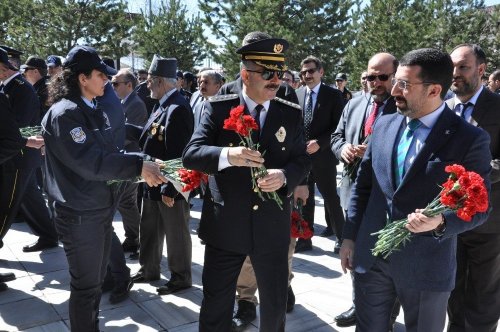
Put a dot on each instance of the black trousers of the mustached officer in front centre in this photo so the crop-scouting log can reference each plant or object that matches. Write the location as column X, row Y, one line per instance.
column 220, row 273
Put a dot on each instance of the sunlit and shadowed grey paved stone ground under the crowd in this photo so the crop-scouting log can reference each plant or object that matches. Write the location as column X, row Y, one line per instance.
column 38, row 299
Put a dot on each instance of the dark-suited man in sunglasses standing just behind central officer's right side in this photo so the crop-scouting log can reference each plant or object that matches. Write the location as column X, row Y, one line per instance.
column 322, row 107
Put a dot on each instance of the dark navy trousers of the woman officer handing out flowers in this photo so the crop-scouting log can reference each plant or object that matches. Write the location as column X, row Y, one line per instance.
column 87, row 240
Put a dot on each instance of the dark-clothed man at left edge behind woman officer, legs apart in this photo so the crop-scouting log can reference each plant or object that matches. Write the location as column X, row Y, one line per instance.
column 21, row 169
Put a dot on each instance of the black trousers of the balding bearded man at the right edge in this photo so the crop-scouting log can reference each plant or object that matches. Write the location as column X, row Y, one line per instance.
column 474, row 304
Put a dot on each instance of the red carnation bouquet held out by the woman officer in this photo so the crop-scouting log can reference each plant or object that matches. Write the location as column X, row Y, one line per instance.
column 184, row 180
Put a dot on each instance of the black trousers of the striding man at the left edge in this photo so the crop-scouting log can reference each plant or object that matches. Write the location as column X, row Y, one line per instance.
column 18, row 189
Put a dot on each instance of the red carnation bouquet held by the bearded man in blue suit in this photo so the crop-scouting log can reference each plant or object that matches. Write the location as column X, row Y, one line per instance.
column 463, row 193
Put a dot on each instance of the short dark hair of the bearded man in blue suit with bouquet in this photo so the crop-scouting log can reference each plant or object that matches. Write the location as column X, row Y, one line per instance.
column 435, row 66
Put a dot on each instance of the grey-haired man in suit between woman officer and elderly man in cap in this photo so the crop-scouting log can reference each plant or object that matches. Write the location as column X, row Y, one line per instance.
column 124, row 83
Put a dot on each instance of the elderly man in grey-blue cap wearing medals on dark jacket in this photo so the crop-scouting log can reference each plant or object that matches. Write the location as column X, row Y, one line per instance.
column 165, row 213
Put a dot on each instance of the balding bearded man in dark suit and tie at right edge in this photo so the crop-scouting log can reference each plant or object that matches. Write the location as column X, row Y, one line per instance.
column 474, row 304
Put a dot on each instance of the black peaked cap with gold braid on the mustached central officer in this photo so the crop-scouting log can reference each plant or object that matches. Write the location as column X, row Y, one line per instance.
column 267, row 53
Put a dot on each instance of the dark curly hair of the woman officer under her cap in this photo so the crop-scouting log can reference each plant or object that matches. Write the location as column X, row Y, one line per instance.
column 65, row 85
